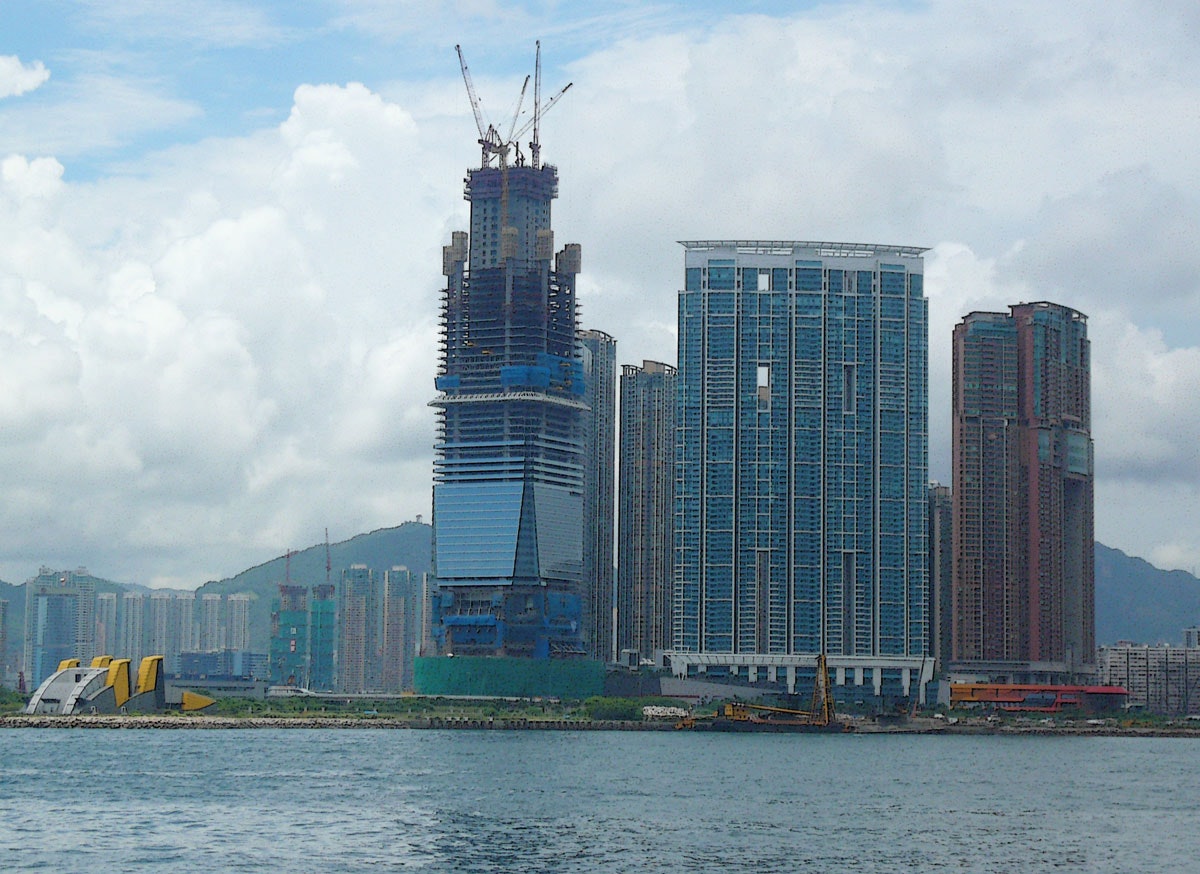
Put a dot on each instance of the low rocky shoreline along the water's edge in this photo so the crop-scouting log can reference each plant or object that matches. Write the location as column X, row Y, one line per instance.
column 201, row 722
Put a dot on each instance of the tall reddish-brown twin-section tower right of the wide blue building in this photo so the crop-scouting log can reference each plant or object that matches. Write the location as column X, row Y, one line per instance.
column 1024, row 576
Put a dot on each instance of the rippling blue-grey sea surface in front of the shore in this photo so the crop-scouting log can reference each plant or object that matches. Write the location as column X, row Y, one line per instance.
column 297, row 800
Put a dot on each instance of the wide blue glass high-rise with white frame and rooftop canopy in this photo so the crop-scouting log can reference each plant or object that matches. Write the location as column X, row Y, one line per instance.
column 802, row 466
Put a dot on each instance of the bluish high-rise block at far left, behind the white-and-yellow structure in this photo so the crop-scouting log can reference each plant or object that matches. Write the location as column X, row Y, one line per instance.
column 59, row 621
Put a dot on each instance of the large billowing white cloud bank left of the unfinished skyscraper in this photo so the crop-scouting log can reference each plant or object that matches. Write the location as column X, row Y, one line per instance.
column 215, row 364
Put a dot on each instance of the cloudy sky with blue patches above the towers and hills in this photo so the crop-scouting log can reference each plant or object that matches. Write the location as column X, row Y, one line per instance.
column 221, row 229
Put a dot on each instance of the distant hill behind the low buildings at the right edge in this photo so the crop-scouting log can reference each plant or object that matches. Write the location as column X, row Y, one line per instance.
column 1137, row 602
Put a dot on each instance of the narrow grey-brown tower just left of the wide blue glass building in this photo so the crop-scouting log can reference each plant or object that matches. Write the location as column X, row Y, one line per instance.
column 646, row 547
